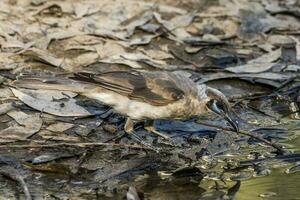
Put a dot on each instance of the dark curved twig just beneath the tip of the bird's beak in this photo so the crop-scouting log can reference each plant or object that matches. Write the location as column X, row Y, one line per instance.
column 255, row 136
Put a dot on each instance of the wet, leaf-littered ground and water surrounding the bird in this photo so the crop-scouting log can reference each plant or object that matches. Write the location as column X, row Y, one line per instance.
column 60, row 145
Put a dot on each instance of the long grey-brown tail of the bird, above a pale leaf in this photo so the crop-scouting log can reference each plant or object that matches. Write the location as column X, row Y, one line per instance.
column 51, row 83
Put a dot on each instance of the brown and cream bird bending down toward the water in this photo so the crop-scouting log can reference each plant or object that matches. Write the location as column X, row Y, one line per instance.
column 140, row 95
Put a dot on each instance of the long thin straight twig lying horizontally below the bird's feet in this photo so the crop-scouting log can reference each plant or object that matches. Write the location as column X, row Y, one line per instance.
column 81, row 145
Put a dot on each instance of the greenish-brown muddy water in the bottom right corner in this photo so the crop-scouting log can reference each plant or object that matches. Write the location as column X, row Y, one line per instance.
column 277, row 180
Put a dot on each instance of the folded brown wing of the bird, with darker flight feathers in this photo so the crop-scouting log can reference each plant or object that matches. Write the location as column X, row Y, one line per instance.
column 154, row 88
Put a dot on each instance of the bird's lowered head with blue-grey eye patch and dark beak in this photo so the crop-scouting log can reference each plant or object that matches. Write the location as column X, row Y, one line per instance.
column 218, row 103
